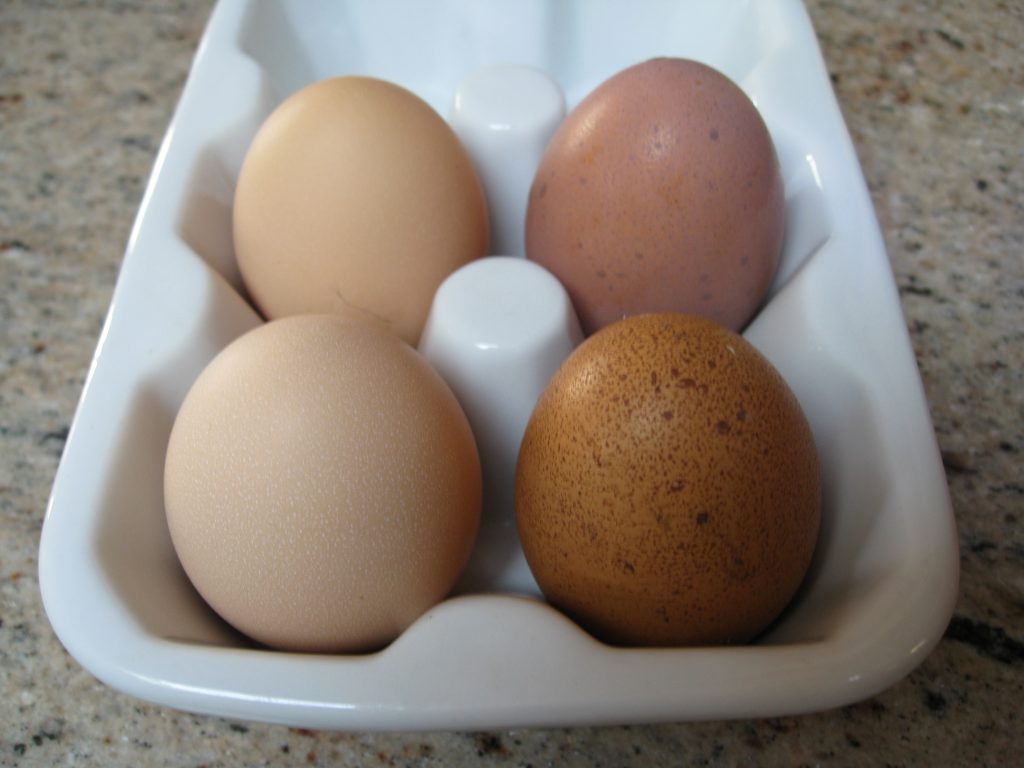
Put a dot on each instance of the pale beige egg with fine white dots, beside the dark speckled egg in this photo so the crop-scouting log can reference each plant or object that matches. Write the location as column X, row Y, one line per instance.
column 322, row 485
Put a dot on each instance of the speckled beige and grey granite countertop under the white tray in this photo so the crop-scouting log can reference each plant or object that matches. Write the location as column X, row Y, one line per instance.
column 934, row 98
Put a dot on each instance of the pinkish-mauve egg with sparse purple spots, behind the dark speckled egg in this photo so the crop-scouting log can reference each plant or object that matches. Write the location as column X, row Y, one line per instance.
column 661, row 192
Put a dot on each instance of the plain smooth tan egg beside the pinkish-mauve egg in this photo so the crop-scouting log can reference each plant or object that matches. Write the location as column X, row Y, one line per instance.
column 356, row 198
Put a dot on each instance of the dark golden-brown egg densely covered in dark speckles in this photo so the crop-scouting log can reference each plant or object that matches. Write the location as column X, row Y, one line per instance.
column 668, row 490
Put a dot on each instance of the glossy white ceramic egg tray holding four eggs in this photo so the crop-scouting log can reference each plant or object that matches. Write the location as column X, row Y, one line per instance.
column 884, row 579
